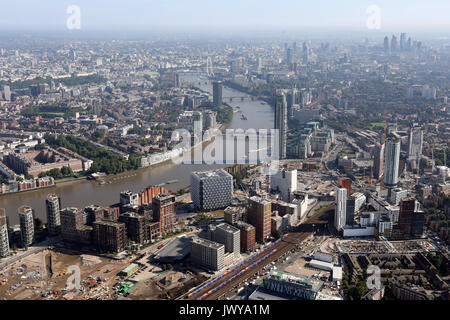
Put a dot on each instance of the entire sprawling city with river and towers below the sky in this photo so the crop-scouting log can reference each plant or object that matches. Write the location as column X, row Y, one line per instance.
column 271, row 166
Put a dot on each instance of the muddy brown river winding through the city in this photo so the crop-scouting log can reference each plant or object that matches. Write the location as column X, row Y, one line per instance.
column 83, row 193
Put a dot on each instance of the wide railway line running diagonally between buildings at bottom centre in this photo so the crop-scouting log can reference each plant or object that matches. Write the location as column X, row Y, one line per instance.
column 219, row 286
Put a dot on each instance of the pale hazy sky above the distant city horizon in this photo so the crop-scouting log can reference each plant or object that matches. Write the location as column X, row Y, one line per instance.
column 143, row 14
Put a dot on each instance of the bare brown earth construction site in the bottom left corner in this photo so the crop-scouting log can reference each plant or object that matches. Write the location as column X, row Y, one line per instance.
column 45, row 275
